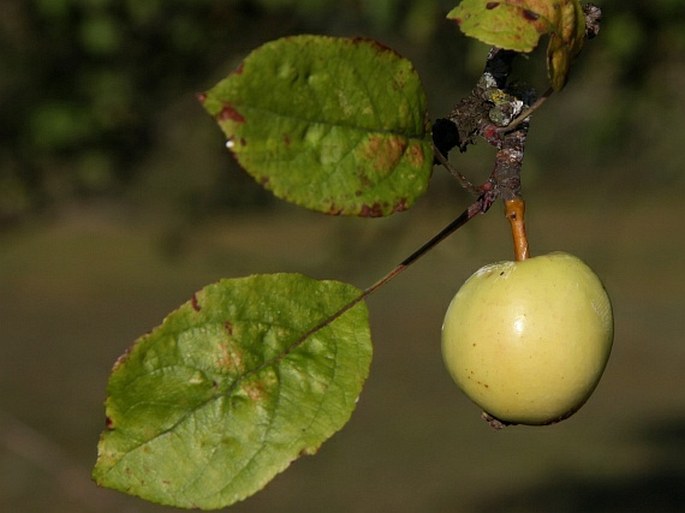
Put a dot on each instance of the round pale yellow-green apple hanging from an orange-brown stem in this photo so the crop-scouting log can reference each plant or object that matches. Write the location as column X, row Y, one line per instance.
column 528, row 341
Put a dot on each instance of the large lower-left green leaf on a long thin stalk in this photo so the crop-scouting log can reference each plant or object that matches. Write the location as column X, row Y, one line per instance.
column 231, row 388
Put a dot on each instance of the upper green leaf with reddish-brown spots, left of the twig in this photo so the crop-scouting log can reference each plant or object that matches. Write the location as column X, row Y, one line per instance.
column 332, row 124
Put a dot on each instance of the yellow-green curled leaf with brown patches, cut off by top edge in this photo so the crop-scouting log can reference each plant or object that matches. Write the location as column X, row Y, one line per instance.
column 518, row 25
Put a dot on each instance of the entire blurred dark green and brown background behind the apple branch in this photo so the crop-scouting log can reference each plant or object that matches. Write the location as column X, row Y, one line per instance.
column 118, row 200
